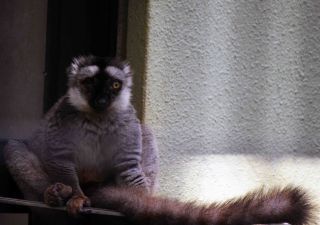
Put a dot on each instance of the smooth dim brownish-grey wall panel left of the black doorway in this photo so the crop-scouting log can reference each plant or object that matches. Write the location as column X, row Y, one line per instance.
column 22, row 44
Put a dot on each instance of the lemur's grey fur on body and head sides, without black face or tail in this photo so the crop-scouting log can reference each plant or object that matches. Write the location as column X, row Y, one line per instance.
column 75, row 146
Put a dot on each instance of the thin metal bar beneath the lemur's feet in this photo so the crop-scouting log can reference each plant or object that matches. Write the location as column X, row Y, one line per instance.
column 86, row 210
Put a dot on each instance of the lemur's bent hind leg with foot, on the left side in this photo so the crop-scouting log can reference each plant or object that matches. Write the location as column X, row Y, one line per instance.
column 27, row 171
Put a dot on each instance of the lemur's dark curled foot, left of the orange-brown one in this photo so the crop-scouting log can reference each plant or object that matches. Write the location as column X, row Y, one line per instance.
column 57, row 194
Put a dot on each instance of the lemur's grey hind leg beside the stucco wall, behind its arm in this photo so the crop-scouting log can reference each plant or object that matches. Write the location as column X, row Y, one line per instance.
column 150, row 162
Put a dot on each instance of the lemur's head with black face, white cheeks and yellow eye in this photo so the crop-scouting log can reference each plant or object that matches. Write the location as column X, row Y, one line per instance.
column 99, row 84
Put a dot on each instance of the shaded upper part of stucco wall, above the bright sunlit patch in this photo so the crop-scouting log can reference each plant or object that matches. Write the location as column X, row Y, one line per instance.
column 235, row 77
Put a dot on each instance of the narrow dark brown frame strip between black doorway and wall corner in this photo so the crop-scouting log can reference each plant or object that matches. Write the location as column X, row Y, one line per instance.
column 121, row 49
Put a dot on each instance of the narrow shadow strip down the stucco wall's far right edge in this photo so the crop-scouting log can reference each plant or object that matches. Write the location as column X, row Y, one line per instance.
column 310, row 75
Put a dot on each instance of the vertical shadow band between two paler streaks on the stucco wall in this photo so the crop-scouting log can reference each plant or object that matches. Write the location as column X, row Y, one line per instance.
column 250, row 25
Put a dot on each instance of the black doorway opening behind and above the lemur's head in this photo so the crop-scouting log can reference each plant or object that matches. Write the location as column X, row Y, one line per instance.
column 78, row 27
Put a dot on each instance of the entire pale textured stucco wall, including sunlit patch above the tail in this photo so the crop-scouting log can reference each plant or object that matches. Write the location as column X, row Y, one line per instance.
column 233, row 94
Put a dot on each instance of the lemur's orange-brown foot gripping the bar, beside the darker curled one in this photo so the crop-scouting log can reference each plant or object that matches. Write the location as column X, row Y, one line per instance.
column 76, row 203
